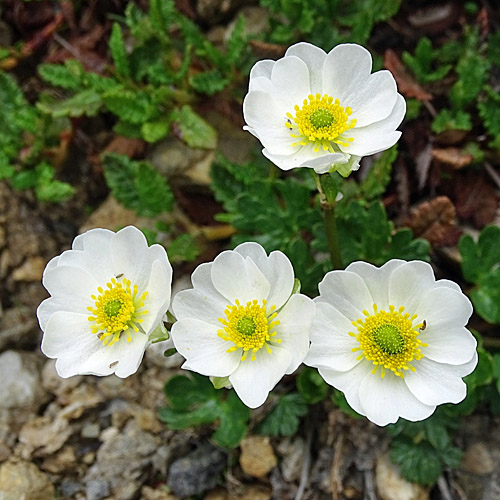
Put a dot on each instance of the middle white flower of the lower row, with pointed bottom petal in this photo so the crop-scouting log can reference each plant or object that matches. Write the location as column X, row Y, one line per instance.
column 241, row 321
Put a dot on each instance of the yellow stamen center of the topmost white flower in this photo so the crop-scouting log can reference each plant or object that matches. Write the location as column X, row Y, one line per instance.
column 321, row 120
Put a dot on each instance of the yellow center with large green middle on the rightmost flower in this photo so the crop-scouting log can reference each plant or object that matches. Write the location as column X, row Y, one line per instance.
column 389, row 339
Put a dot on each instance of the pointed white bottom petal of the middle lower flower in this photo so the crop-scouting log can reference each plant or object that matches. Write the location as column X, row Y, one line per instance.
column 253, row 380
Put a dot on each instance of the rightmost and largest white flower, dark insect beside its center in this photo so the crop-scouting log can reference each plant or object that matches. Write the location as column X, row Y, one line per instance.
column 393, row 339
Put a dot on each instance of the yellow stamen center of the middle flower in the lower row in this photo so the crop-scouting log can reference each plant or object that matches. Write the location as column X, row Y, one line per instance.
column 249, row 327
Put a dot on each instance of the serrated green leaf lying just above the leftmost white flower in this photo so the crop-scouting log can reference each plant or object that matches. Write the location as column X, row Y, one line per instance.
column 138, row 185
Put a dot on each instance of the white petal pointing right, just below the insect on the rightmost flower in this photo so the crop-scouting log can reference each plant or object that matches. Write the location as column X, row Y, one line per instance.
column 455, row 346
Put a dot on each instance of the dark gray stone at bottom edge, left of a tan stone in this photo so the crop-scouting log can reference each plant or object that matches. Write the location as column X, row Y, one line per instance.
column 196, row 472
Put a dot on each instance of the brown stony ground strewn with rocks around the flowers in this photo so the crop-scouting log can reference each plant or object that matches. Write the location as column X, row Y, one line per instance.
column 99, row 438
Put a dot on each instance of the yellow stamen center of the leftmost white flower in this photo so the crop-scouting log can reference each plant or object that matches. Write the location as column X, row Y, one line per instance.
column 116, row 311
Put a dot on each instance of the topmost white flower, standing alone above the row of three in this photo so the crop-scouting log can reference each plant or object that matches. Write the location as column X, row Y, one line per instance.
column 318, row 110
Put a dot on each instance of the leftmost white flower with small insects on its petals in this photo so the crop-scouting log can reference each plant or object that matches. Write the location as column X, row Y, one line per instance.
column 107, row 295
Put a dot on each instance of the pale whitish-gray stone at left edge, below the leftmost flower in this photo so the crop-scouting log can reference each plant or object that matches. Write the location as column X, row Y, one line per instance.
column 20, row 376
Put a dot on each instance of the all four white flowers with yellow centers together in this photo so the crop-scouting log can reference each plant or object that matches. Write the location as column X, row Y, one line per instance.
column 393, row 339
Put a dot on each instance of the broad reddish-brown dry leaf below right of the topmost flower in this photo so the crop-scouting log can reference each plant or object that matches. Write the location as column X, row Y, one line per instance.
column 434, row 220
